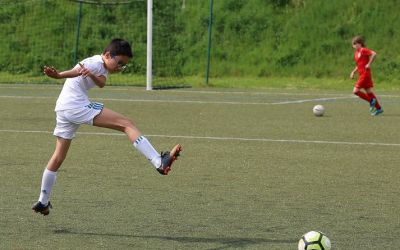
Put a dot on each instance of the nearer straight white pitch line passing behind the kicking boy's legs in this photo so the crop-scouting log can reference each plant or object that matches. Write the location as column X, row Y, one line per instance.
column 217, row 138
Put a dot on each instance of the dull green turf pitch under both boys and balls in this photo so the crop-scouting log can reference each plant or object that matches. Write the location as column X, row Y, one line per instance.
column 258, row 170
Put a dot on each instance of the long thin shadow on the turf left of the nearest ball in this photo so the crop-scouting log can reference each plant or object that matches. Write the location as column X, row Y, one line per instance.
column 226, row 242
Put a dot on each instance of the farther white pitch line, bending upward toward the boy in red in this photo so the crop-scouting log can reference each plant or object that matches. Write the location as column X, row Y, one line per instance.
column 193, row 101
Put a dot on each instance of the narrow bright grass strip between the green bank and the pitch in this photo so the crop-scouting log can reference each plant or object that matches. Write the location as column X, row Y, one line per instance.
column 339, row 83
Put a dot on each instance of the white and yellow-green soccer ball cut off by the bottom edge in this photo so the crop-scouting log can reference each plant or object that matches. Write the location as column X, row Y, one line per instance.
column 314, row 240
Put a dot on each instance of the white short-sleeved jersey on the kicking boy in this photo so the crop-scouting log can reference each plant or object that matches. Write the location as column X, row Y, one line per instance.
column 75, row 91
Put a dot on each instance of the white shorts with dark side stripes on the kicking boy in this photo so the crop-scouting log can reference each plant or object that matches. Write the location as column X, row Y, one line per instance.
column 68, row 121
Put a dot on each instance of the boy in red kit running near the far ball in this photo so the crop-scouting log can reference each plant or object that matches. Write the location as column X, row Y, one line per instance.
column 364, row 57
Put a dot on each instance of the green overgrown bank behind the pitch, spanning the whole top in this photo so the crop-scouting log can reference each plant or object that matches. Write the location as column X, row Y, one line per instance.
column 256, row 38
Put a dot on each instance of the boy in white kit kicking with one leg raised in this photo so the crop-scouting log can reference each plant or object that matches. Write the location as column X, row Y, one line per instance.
column 74, row 108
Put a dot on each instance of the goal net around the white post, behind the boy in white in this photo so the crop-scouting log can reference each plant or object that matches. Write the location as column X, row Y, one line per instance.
column 34, row 33
